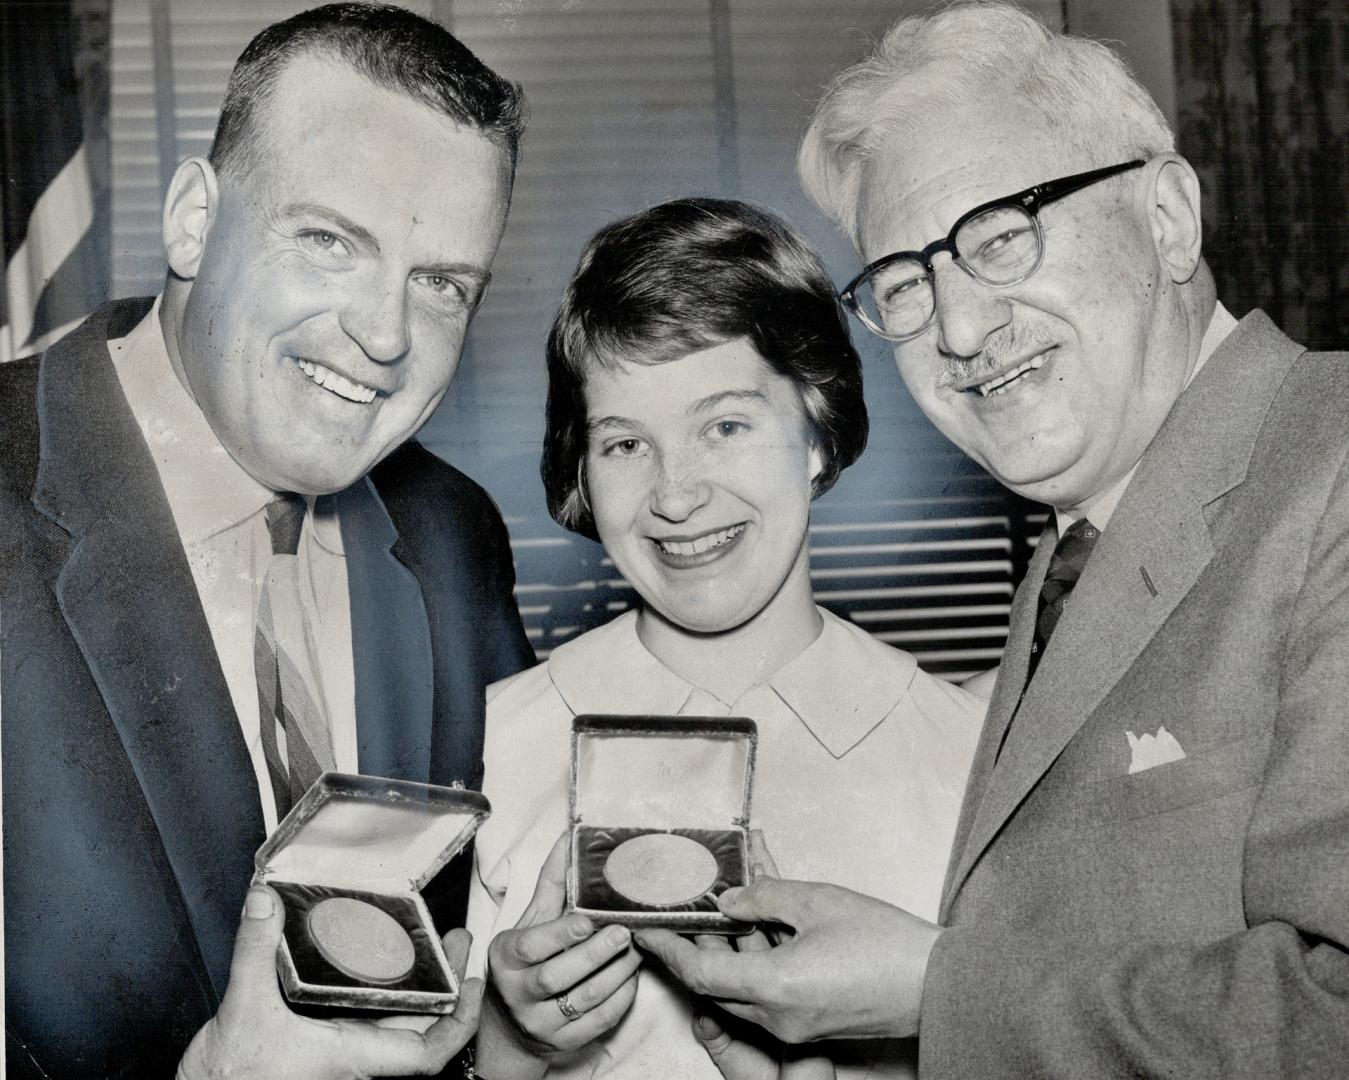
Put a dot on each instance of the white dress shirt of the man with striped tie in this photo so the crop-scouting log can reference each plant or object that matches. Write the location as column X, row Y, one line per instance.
column 219, row 512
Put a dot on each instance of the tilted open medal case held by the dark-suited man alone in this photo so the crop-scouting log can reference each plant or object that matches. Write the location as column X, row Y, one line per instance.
column 350, row 862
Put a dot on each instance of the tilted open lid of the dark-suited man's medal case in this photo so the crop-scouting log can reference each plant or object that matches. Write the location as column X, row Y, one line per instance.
column 372, row 833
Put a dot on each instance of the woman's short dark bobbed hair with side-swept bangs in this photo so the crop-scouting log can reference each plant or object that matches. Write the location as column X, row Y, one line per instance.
column 681, row 278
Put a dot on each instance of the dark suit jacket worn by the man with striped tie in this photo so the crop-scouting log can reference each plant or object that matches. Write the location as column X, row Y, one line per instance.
column 132, row 811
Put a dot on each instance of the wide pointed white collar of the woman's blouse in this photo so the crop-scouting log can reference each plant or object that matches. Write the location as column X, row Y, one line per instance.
column 841, row 687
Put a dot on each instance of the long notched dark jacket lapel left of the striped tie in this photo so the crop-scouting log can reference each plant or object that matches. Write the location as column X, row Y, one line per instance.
column 130, row 601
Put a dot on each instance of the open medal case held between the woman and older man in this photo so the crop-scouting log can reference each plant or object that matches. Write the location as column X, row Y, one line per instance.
column 660, row 818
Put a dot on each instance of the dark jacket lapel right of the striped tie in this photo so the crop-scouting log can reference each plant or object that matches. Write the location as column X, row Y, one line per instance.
column 391, row 642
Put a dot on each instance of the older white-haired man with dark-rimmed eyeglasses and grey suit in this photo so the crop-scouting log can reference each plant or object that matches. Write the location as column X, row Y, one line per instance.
column 1151, row 874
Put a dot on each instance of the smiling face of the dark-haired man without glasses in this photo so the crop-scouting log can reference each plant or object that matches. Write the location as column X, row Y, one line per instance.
column 323, row 299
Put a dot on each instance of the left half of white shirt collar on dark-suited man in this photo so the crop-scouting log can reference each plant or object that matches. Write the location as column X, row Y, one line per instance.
column 207, row 490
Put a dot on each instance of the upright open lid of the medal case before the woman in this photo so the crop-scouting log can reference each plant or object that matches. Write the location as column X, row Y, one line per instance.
column 663, row 772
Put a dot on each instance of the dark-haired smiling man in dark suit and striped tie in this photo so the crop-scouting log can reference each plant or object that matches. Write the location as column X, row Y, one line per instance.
column 324, row 266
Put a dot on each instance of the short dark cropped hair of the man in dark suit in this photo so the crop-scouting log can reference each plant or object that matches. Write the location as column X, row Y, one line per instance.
column 391, row 47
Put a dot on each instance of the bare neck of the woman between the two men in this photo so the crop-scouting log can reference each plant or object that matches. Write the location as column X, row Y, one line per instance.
column 726, row 664
